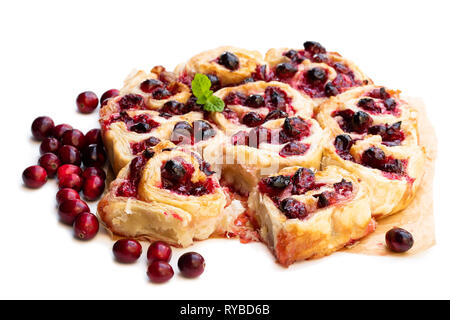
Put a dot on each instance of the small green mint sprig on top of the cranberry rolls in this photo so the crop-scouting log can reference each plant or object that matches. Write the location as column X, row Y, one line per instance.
column 201, row 86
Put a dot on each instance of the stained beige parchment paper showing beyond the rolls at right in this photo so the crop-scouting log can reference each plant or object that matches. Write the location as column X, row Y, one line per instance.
column 417, row 218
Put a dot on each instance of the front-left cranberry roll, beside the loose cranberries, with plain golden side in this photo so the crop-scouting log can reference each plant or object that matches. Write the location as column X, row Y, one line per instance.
column 164, row 193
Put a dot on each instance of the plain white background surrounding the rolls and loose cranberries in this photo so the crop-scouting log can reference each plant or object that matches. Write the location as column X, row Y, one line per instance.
column 53, row 50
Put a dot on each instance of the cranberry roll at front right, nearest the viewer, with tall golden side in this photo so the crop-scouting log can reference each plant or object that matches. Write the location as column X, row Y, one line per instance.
column 305, row 215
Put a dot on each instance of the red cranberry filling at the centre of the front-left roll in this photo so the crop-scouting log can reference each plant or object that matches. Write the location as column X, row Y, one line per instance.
column 176, row 175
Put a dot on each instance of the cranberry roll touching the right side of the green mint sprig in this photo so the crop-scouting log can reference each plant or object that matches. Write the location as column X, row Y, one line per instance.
column 252, row 104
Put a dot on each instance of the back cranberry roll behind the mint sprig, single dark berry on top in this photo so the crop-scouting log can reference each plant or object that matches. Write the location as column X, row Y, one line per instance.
column 225, row 66
